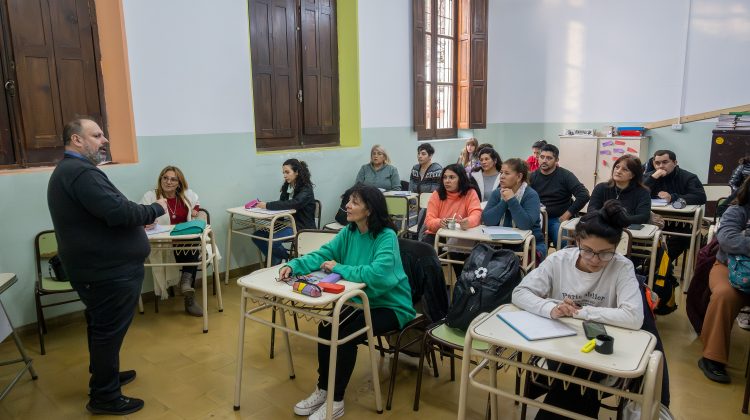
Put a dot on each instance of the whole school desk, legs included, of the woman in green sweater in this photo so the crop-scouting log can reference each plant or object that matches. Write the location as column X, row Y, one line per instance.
column 262, row 289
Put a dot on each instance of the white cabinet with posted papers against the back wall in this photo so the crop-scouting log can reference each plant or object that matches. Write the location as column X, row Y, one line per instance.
column 591, row 158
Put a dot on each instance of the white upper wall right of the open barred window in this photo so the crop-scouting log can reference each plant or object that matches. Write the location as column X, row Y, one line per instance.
column 612, row 60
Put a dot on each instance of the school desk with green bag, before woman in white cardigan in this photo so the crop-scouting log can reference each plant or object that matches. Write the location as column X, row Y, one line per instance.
column 164, row 242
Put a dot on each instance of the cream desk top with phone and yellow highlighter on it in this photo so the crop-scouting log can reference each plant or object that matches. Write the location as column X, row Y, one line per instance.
column 631, row 348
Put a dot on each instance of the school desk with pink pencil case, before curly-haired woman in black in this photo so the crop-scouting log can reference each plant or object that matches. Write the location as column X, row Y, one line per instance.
column 242, row 221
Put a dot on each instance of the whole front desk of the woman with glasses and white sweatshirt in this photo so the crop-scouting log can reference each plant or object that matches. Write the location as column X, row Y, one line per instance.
column 634, row 356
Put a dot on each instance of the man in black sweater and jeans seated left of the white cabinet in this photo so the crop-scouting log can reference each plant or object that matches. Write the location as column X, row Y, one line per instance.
column 557, row 187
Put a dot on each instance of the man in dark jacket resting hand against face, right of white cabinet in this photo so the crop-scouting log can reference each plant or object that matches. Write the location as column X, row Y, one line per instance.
column 671, row 183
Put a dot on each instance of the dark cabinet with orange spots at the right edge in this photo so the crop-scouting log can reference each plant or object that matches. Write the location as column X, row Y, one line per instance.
column 727, row 147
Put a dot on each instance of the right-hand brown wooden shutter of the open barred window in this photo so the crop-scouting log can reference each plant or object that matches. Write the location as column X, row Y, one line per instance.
column 478, row 66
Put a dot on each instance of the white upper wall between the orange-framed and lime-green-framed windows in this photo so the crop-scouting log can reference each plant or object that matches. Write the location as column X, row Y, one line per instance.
column 189, row 66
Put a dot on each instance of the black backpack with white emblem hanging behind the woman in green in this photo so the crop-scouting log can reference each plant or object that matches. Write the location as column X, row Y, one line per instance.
column 486, row 282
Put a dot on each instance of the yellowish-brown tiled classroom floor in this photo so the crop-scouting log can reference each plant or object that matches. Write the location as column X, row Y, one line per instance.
column 185, row 374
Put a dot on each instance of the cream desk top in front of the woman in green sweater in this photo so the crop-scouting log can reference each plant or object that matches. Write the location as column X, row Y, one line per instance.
column 263, row 282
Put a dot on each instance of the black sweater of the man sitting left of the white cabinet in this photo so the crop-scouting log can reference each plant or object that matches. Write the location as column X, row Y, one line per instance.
column 556, row 189
